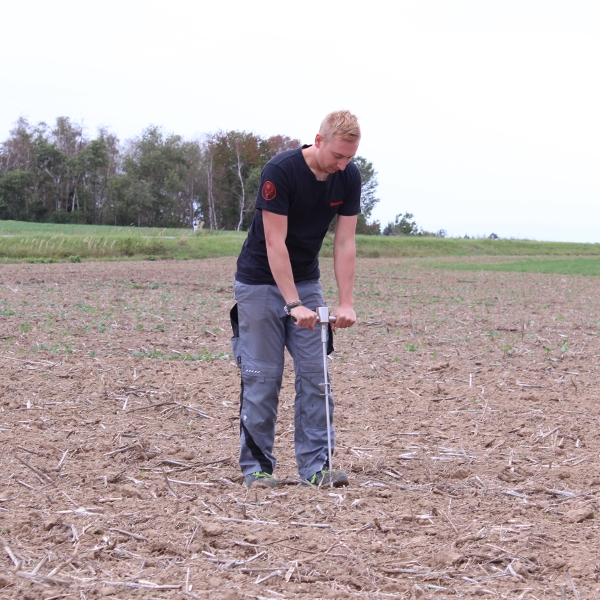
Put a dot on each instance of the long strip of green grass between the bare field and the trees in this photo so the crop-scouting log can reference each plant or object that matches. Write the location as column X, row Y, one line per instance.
column 47, row 242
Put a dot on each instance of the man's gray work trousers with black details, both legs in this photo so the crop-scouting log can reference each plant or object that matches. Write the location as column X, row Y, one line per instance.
column 264, row 331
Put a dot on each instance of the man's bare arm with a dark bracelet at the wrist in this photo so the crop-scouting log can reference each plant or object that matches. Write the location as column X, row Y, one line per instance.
column 279, row 260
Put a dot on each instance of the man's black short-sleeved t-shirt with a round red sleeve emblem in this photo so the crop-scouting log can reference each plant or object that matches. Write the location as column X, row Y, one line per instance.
column 289, row 187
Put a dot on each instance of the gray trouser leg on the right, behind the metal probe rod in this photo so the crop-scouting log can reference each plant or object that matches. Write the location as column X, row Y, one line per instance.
column 310, row 419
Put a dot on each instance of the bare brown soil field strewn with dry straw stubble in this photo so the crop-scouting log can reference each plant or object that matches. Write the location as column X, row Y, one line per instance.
column 466, row 417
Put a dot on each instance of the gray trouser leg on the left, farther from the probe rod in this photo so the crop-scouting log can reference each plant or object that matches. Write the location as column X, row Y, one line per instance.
column 259, row 353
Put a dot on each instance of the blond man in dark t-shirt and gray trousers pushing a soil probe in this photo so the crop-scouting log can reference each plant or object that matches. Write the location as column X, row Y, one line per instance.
column 277, row 289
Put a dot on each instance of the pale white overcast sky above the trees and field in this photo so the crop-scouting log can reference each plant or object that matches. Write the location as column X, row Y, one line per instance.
column 479, row 116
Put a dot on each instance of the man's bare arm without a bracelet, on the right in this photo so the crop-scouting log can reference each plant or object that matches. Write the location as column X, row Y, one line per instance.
column 344, row 264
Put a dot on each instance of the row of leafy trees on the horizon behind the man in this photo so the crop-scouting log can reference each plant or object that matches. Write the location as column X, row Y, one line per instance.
column 58, row 174
